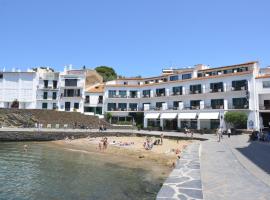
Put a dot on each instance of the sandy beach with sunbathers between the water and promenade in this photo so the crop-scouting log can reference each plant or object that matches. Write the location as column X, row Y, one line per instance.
column 130, row 147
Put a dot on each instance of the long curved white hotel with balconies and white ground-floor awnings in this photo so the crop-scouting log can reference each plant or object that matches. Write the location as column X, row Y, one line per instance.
column 196, row 97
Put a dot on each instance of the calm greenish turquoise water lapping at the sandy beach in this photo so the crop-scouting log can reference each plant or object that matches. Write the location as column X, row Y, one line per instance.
column 48, row 172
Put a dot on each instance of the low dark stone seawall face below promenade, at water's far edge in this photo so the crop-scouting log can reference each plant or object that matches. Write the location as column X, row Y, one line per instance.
column 50, row 135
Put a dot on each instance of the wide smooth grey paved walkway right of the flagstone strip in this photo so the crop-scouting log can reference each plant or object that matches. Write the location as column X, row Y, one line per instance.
column 226, row 177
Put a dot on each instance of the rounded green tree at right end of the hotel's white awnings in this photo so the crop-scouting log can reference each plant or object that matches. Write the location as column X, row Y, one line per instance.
column 236, row 119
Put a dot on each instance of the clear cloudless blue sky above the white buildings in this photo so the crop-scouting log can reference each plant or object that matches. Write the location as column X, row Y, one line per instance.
column 135, row 37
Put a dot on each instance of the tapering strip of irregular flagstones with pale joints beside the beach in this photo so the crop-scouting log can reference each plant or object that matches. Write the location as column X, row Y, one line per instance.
column 184, row 181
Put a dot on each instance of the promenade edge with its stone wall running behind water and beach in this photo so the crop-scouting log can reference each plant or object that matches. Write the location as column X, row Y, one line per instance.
column 47, row 134
